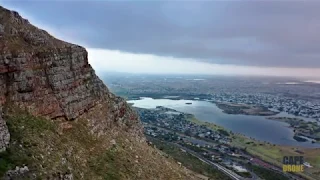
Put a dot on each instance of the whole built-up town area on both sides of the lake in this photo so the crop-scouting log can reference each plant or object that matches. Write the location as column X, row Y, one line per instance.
column 171, row 130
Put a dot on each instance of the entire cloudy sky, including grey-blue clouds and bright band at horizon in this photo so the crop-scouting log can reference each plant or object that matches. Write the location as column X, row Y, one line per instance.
column 207, row 37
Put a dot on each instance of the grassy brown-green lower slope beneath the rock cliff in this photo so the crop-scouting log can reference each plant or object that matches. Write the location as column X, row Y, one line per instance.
column 53, row 149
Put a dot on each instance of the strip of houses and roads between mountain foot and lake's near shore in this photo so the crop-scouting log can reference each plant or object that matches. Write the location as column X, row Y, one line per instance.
column 207, row 144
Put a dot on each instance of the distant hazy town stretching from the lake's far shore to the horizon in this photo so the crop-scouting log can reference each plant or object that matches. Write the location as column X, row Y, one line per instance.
column 292, row 96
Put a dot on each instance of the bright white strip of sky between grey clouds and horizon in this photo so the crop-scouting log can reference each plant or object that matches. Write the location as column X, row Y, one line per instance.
column 117, row 61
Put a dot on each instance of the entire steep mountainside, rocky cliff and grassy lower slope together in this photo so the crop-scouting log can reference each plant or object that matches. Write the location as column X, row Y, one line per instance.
column 63, row 121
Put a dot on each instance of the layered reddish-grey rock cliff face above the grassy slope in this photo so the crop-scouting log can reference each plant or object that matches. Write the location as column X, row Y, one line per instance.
column 49, row 77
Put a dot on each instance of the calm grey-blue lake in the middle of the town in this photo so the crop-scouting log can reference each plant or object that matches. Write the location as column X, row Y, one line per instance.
column 257, row 127
